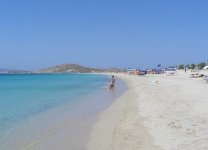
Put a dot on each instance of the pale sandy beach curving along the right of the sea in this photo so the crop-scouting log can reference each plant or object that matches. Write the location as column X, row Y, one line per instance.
column 157, row 112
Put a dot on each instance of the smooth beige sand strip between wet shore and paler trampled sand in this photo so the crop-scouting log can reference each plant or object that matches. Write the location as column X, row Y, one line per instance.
column 119, row 127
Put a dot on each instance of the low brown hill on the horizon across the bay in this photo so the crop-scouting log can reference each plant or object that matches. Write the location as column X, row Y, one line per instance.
column 74, row 68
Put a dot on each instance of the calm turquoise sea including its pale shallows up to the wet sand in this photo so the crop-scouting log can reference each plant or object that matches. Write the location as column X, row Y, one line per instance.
column 34, row 107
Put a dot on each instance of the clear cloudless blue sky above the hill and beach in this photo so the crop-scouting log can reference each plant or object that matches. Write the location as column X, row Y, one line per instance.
column 102, row 33
